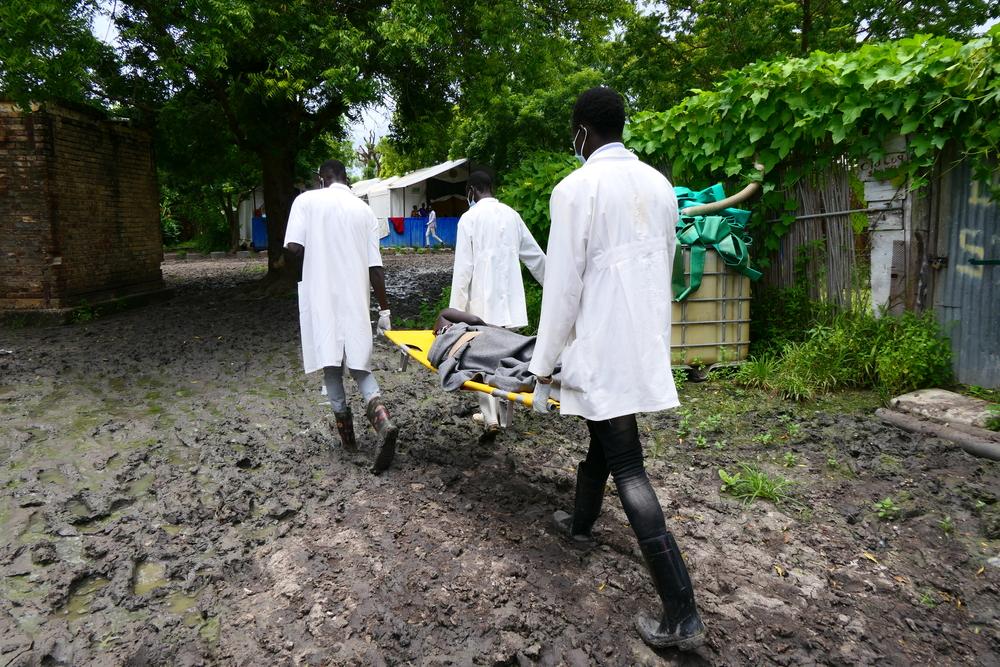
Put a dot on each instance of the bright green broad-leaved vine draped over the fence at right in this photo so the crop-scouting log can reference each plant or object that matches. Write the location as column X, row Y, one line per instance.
column 799, row 115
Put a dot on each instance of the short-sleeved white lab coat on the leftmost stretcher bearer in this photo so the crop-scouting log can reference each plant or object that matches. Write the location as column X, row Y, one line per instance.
column 340, row 235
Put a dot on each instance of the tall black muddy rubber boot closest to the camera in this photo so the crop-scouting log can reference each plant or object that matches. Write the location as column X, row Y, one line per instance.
column 679, row 625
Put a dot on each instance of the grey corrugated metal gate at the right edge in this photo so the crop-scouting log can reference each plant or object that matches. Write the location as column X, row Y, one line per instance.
column 967, row 291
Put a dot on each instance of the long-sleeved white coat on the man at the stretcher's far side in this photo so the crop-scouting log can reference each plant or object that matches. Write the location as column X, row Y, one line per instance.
column 486, row 280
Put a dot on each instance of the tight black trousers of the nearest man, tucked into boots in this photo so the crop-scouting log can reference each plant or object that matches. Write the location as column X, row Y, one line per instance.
column 615, row 450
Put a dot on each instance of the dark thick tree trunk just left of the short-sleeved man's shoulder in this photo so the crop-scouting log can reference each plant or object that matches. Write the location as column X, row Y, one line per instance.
column 278, row 173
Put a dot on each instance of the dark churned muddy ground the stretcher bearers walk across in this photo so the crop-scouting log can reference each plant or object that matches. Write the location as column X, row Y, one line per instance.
column 174, row 494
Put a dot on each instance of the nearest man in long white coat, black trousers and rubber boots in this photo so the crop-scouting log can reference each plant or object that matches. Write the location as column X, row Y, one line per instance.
column 606, row 316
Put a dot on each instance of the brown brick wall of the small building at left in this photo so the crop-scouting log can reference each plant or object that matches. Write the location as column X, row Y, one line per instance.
column 79, row 209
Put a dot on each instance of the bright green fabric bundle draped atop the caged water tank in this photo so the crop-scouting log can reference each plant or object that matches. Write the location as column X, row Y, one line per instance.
column 725, row 233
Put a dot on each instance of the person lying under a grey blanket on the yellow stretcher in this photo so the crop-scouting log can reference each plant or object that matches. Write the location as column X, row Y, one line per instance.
column 467, row 348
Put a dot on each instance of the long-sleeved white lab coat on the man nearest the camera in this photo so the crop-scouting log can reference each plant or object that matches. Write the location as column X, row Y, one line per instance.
column 606, row 298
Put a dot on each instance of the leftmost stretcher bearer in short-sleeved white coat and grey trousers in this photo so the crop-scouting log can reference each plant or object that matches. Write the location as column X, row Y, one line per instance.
column 338, row 235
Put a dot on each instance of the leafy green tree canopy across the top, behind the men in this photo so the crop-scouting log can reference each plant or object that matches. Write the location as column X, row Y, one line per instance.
column 236, row 89
